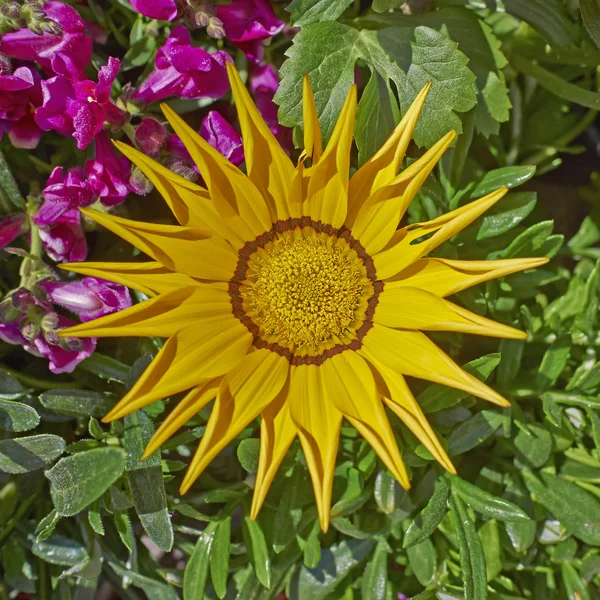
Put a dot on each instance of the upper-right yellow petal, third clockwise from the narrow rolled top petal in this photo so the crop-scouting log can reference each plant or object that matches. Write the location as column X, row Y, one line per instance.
column 379, row 216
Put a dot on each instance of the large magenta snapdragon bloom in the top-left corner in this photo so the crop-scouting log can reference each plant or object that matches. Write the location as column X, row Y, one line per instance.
column 66, row 54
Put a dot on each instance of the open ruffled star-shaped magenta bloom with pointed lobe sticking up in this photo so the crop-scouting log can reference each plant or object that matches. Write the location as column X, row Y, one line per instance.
column 80, row 108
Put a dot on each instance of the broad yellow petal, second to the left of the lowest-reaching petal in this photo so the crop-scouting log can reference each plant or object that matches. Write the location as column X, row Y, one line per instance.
column 245, row 391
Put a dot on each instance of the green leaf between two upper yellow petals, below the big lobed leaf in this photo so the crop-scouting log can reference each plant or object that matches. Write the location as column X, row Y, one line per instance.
column 377, row 115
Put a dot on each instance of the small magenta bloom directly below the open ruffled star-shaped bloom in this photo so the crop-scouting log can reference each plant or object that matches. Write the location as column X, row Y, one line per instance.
column 108, row 173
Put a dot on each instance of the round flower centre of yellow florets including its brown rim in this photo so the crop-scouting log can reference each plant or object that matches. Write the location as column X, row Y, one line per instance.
column 304, row 290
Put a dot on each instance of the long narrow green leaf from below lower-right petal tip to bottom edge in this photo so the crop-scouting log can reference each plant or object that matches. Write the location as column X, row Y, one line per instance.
column 472, row 558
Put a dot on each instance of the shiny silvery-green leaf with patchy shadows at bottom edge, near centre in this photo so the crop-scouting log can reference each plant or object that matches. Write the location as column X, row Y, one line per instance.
column 336, row 563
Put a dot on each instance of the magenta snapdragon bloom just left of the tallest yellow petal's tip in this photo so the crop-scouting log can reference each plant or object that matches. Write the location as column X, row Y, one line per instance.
column 184, row 71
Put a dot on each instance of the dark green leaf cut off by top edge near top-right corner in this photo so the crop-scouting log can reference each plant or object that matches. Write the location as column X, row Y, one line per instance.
column 546, row 16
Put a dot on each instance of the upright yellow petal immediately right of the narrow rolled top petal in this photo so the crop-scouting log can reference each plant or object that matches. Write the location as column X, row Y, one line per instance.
column 327, row 195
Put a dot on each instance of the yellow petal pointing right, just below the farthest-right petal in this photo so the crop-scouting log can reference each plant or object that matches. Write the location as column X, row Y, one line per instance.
column 413, row 308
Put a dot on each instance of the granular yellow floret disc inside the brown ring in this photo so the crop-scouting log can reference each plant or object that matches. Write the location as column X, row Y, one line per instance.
column 304, row 288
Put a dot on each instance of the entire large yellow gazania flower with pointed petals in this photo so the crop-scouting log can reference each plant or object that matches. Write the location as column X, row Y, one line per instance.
column 289, row 293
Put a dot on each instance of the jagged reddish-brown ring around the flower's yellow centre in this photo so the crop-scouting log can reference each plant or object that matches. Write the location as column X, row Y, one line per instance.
column 241, row 270
